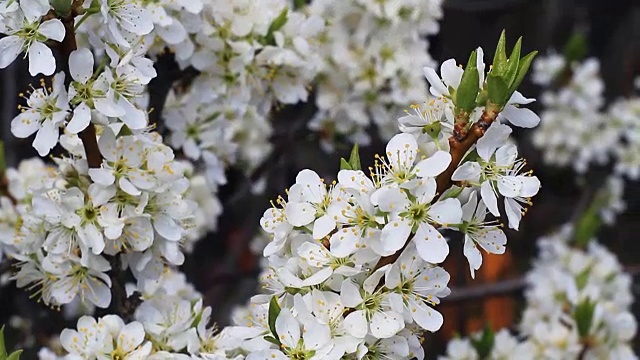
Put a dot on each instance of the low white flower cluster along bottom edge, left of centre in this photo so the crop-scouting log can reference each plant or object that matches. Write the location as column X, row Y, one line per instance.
column 170, row 323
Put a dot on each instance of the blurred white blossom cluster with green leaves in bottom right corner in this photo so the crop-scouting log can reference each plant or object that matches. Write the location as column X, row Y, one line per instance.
column 578, row 307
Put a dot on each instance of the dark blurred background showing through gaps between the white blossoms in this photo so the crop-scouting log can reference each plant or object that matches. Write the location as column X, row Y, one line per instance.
column 224, row 268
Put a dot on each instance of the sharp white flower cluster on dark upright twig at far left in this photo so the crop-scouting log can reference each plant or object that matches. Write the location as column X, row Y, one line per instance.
column 119, row 201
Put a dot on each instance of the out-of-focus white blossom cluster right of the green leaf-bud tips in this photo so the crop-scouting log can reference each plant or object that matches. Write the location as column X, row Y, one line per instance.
column 576, row 131
